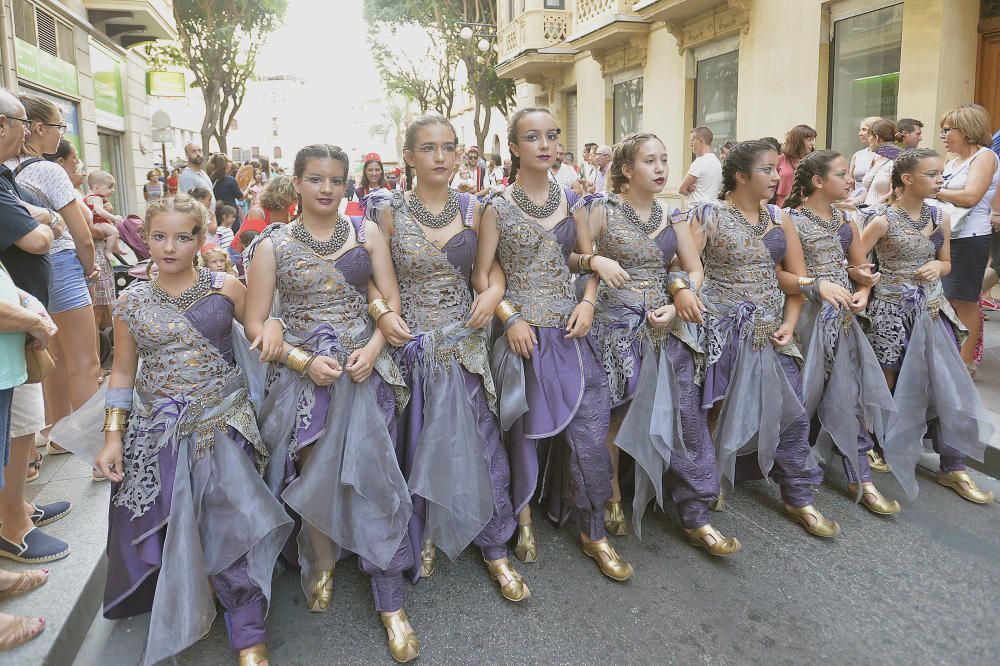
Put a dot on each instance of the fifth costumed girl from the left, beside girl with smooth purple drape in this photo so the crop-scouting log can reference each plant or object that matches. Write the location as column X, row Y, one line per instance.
column 648, row 348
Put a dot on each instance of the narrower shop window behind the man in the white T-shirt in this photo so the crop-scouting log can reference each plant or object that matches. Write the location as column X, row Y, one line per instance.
column 715, row 94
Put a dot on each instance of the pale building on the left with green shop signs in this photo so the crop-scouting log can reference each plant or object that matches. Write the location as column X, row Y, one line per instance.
column 82, row 56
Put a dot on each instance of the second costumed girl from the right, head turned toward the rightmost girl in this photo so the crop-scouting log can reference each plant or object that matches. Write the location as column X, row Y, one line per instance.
column 842, row 376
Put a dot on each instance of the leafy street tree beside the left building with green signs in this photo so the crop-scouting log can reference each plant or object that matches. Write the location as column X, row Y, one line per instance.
column 219, row 41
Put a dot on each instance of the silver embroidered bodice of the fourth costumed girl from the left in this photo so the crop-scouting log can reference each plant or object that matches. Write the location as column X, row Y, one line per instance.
column 538, row 277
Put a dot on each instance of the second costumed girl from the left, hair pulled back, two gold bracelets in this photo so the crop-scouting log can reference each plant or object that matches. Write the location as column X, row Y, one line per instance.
column 333, row 436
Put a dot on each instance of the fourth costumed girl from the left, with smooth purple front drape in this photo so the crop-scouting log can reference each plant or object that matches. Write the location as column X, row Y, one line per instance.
column 549, row 379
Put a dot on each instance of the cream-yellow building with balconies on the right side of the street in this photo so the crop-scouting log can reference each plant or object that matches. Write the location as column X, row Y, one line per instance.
column 748, row 68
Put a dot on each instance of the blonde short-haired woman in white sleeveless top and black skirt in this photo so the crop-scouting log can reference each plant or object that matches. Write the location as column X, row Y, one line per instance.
column 970, row 182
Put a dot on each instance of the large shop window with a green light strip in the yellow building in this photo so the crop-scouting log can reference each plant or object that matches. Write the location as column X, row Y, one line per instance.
column 864, row 72
